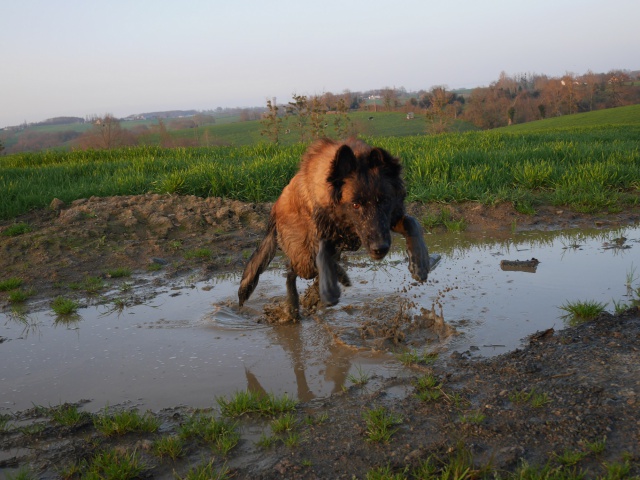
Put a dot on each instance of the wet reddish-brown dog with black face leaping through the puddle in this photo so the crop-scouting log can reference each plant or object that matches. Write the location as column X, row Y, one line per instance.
column 345, row 196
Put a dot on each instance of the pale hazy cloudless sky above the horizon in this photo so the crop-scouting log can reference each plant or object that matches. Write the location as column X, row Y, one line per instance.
column 77, row 58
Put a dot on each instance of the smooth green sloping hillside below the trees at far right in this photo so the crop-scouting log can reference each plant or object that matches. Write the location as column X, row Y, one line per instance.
column 629, row 115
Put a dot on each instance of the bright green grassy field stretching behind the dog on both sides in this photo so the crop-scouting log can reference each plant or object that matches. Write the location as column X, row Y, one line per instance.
column 589, row 168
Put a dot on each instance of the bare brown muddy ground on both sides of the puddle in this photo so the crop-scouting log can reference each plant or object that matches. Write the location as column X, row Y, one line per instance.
column 588, row 377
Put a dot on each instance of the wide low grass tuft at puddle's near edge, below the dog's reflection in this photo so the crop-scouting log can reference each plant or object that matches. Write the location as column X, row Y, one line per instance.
column 244, row 402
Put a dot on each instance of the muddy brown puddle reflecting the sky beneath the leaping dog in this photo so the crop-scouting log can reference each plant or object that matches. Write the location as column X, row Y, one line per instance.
column 189, row 343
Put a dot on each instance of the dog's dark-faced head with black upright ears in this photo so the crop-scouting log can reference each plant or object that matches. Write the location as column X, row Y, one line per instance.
column 367, row 192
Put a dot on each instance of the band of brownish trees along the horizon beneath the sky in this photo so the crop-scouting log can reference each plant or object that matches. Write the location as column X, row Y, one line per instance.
column 510, row 99
